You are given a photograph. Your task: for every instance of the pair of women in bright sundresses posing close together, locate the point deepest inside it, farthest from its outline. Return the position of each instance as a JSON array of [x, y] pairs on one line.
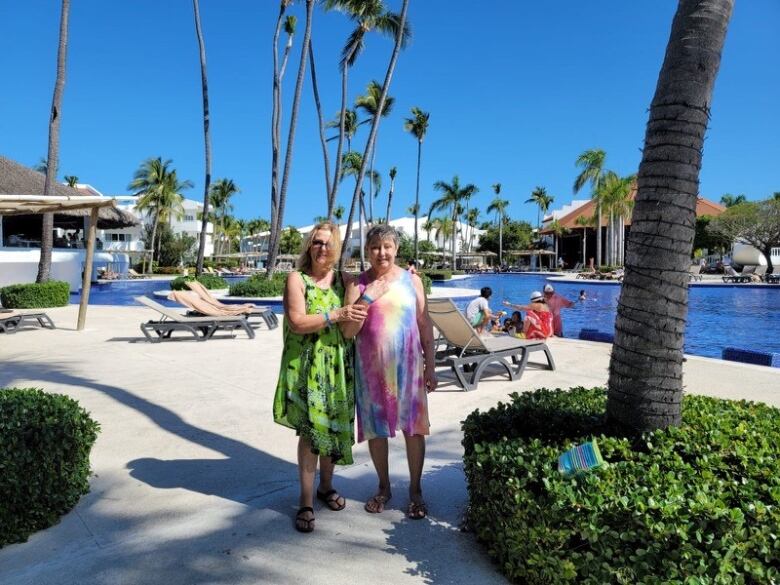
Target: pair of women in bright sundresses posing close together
[[385, 310]]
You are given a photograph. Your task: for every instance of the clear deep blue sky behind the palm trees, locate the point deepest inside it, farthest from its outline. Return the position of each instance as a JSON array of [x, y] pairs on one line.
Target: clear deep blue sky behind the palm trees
[[516, 90]]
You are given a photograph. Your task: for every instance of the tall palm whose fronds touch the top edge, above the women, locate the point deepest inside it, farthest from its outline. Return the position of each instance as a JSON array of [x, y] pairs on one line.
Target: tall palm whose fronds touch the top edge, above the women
[[368, 16]]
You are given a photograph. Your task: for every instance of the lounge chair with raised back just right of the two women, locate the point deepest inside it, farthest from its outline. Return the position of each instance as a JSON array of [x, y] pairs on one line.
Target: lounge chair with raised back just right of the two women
[[469, 354]]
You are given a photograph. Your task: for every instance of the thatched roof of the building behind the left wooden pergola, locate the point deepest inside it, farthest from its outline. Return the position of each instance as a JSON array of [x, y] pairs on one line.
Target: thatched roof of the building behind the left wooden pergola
[[16, 179]]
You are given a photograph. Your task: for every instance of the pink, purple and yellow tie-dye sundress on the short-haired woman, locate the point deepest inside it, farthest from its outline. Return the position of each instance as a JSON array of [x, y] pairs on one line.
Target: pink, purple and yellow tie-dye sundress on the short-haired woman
[[389, 384]]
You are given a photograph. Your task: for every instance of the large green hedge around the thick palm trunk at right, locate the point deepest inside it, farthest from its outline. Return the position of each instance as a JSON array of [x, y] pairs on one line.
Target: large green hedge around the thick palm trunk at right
[[694, 504]]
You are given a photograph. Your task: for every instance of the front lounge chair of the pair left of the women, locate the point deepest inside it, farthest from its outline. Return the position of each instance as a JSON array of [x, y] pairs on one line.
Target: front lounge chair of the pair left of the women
[[202, 328]]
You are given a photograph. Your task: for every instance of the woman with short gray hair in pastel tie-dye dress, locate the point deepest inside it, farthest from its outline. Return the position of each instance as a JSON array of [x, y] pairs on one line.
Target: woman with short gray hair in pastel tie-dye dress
[[394, 368]]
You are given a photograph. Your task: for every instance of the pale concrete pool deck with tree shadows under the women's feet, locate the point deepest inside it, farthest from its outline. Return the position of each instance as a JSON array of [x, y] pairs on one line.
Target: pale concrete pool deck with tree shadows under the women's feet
[[195, 484]]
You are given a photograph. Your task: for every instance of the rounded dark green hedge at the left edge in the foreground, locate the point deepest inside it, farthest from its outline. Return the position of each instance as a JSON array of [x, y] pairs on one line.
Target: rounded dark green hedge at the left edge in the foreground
[[45, 440]]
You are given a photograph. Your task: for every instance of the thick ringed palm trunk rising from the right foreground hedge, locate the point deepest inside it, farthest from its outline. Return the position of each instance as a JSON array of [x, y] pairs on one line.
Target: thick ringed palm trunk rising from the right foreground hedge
[[645, 372]]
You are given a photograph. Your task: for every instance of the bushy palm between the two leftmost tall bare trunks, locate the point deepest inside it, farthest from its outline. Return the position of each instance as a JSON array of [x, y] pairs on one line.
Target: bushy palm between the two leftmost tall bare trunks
[[159, 193]]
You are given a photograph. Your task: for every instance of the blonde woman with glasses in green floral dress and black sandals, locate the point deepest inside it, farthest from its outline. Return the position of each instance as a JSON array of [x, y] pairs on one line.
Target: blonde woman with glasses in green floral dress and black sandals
[[315, 393]]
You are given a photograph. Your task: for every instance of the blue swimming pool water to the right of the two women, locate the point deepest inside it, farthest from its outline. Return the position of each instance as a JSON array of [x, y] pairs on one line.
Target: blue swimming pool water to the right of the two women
[[718, 316]]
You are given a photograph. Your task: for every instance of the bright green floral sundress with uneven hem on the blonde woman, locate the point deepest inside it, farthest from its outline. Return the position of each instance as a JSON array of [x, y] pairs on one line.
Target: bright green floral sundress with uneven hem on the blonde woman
[[315, 394]]
